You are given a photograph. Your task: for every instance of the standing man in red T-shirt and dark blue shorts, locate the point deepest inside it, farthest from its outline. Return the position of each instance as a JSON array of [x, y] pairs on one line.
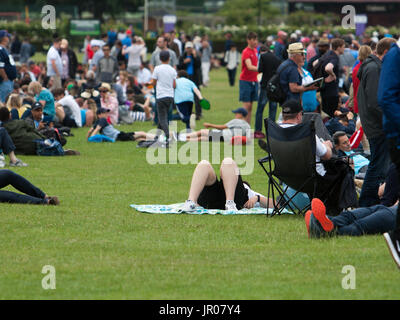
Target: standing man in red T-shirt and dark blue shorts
[[248, 83]]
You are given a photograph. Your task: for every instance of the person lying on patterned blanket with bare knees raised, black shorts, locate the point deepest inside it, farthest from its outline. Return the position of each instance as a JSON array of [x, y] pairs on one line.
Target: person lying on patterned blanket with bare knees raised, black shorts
[[229, 193]]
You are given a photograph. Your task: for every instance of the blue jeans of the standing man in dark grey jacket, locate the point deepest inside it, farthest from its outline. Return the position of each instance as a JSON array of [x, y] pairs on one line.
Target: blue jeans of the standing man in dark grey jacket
[[376, 173]]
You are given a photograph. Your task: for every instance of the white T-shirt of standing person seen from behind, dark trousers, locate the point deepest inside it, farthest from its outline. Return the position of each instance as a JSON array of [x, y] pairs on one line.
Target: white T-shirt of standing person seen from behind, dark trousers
[[165, 76]]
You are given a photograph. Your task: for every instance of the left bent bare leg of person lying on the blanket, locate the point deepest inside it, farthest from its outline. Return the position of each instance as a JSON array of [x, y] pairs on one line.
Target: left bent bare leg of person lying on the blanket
[[203, 175]]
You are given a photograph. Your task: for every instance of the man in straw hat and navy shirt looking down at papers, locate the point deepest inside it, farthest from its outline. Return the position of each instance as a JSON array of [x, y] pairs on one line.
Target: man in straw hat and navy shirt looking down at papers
[[288, 73]]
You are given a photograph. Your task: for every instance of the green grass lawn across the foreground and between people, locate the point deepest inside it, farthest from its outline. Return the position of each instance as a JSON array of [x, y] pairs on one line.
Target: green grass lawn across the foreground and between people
[[103, 249]]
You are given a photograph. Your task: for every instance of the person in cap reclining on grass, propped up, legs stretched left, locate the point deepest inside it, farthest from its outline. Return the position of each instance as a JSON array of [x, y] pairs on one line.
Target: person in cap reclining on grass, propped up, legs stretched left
[[222, 132]]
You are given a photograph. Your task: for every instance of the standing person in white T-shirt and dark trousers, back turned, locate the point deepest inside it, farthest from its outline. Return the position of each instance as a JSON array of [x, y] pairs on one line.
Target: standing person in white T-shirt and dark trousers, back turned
[[164, 78]]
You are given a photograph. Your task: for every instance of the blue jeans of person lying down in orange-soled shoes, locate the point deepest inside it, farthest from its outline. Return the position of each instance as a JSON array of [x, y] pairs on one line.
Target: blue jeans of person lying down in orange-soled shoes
[[361, 221]]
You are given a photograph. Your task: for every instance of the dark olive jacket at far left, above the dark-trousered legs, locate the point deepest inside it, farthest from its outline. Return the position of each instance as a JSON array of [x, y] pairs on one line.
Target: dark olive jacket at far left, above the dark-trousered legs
[[23, 135]]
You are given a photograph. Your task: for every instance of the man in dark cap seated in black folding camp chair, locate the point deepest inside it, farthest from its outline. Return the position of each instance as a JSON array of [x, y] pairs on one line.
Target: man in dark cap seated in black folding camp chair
[[322, 176]]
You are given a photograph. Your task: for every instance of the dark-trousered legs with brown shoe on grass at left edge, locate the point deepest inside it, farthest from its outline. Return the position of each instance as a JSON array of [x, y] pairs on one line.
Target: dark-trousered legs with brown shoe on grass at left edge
[[31, 194]]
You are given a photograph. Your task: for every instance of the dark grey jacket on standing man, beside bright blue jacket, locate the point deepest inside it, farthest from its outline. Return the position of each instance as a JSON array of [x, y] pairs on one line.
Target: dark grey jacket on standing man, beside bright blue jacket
[[367, 96]]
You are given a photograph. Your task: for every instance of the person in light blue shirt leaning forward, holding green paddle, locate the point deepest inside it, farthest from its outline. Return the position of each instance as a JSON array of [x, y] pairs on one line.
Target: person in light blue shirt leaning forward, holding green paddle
[[185, 92]]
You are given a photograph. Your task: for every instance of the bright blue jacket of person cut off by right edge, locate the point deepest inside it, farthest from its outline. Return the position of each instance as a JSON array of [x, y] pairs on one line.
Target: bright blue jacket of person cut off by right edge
[[389, 92]]
